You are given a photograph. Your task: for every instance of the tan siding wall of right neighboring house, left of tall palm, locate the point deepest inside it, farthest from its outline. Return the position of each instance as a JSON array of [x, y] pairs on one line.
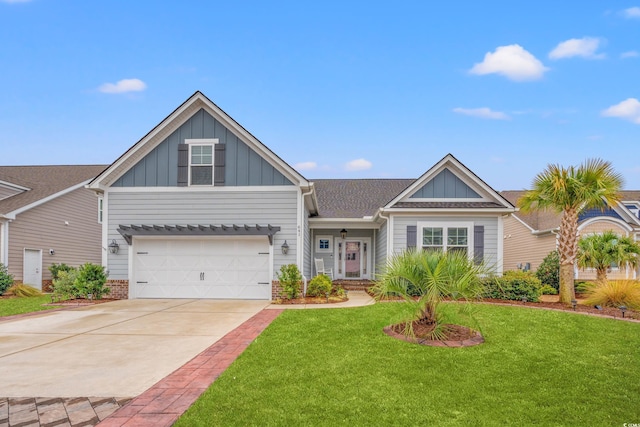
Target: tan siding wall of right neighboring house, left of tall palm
[[520, 246]]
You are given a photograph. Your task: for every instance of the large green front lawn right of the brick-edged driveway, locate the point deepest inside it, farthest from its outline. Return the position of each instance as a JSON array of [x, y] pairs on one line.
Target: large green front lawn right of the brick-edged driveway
[[336, 367]]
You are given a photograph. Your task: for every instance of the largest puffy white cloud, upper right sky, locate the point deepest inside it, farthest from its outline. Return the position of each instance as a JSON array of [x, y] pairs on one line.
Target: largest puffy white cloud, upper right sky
[[513, 62]]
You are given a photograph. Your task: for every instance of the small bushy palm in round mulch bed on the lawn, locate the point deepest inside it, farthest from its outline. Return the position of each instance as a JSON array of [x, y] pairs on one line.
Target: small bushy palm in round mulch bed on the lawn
[[424, 278]]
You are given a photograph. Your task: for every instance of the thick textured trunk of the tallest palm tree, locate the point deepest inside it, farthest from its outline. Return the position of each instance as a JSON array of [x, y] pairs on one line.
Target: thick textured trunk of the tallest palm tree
[[568, 250]]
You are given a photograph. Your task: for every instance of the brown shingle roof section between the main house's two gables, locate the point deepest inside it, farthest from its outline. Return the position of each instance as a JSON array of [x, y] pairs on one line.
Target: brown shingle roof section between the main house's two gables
[[355, 198]]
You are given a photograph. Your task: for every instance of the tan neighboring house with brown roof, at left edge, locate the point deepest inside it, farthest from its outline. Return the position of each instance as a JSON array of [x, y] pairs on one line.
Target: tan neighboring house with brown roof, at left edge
[[47, 217]]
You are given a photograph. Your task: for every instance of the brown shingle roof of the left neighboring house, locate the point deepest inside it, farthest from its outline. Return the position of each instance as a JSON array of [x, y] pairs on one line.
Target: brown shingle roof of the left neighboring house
[[42, 182]]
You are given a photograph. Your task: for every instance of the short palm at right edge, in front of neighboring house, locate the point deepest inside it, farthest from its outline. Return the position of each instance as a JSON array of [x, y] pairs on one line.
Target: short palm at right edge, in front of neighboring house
[[600, 251]]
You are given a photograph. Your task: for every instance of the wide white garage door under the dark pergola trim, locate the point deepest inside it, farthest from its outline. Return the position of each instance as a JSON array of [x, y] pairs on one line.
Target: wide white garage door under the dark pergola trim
[[235, 268]]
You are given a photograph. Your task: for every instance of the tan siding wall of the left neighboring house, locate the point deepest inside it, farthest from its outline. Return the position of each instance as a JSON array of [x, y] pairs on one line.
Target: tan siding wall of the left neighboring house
[[43, 227]]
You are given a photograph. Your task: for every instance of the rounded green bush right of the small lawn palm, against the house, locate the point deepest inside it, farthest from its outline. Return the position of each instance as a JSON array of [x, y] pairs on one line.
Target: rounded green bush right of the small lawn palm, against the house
[[513, 286]]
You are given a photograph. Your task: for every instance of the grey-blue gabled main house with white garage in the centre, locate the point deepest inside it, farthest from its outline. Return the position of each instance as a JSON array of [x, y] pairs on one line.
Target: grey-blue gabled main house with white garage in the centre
[[199, 208]]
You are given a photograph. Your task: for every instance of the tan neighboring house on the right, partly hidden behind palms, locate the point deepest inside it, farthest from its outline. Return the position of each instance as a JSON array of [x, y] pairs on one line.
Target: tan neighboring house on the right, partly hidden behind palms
[[528, 238]]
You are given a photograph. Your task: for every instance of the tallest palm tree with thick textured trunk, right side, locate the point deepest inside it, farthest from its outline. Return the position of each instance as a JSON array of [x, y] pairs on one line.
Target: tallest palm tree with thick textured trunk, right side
[[570, 191]]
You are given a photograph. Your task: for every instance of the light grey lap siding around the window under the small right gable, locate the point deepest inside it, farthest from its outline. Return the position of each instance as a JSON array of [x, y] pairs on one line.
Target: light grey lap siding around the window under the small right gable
[[490, 224]]
